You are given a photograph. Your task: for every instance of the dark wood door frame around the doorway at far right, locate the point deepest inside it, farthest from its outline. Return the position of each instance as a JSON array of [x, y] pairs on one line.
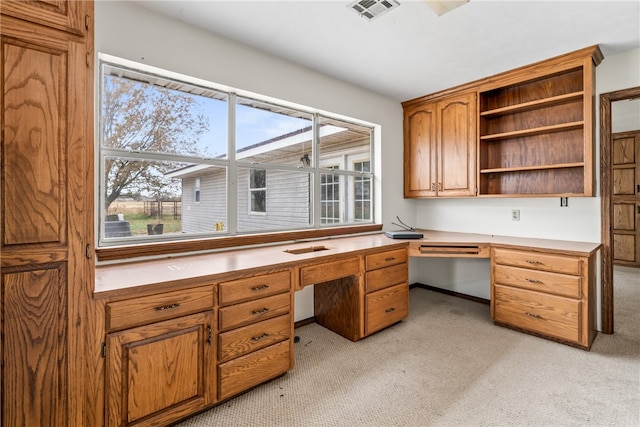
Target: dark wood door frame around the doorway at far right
[[606, 184]]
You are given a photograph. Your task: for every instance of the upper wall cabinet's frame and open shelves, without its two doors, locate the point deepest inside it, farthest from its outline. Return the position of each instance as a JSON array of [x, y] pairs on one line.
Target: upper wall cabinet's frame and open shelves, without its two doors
[[535, 130]]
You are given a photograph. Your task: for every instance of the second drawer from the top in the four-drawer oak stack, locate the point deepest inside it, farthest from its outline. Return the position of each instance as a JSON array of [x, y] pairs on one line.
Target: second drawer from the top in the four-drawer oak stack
[[254, 311]]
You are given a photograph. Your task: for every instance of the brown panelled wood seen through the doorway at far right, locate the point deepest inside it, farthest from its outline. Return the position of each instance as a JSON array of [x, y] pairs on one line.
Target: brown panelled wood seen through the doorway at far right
[[626, 198]]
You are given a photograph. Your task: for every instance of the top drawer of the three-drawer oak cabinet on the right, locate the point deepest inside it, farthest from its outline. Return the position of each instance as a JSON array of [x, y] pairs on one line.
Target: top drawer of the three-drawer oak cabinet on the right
[[538, 261]]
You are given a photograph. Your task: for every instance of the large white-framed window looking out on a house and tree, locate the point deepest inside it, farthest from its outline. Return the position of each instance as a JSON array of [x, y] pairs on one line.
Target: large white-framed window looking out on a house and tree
[[164, 137]]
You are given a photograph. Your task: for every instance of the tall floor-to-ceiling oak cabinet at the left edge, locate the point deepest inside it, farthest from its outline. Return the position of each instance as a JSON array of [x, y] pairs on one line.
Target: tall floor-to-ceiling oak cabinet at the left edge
[[45, 209]]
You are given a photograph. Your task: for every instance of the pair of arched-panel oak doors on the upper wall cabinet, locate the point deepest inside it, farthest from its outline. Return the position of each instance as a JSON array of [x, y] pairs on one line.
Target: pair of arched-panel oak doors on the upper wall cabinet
[[440, 146]]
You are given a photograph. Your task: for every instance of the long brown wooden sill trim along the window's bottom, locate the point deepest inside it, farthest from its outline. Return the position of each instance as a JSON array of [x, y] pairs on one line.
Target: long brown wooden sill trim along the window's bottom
[[169, 248]]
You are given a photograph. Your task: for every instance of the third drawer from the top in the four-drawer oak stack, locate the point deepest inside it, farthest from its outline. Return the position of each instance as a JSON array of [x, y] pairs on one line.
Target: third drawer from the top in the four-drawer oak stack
[[241, 341]]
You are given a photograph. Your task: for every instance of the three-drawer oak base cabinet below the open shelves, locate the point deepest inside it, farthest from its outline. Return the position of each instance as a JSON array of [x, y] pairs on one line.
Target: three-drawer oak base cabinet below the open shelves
[[547, 294]]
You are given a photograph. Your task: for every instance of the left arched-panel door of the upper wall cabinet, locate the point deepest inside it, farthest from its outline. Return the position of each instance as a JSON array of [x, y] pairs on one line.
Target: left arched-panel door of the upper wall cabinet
[[420, 151]]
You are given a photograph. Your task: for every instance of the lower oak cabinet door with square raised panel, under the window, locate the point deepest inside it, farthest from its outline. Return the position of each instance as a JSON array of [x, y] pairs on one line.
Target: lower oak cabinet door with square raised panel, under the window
[[161, 372]]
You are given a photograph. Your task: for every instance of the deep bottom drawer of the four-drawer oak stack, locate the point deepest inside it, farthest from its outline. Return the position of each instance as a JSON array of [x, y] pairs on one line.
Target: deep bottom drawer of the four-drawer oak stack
[[248, 371]]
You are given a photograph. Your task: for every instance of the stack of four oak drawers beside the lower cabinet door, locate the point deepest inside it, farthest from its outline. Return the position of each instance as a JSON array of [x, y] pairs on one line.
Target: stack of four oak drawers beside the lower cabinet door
[[255, 329]]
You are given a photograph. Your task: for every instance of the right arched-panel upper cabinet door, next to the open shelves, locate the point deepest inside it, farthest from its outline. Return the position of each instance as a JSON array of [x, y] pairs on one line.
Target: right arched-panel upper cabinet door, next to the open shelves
[[457, 146]]
